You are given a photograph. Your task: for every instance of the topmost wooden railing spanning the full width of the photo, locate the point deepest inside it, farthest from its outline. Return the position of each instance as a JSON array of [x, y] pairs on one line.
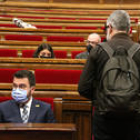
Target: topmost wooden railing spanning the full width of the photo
[[102, 4]]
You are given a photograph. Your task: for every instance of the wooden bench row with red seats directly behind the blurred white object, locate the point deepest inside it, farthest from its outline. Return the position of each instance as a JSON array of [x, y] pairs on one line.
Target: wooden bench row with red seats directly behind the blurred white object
[[62, 22]]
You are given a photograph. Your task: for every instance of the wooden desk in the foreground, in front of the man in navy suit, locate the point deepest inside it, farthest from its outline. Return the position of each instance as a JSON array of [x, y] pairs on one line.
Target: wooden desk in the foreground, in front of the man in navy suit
[[37, 131]]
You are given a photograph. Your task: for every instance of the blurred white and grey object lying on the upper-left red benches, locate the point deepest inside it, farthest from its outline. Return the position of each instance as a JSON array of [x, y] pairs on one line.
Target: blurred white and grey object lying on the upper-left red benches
[[22, 24]]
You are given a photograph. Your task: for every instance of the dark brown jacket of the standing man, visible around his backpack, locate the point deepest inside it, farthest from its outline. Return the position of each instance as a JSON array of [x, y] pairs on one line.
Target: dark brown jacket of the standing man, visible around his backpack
[[94, 66]]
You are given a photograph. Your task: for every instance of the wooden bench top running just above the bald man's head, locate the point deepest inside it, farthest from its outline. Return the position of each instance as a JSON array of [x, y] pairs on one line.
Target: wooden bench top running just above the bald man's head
[[50, 32]]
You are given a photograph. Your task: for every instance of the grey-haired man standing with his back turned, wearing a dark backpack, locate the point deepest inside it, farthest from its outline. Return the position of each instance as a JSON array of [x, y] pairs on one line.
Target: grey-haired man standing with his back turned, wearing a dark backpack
[[111, 79]]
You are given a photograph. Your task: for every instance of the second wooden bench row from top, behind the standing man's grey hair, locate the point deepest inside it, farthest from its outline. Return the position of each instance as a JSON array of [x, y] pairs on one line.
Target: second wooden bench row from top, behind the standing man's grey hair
[[39, 14]]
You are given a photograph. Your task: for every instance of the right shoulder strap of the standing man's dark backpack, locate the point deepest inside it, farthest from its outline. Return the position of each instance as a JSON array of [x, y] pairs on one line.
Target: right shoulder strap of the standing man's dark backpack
[[135, 47]]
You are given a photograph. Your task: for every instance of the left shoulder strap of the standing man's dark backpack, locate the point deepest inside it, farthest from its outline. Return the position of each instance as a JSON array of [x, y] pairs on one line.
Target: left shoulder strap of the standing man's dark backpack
[[107, 48]]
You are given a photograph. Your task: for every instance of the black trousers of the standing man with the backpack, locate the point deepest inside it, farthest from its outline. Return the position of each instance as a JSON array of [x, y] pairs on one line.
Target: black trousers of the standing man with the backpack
[[113, 127]]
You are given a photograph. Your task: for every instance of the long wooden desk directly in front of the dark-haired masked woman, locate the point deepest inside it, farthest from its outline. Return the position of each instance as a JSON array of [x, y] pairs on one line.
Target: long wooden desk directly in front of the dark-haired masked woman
[[35, 63]]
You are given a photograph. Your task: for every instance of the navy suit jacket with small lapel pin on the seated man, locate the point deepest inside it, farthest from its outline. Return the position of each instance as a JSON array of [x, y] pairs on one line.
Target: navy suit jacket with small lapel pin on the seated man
[[40, 112]]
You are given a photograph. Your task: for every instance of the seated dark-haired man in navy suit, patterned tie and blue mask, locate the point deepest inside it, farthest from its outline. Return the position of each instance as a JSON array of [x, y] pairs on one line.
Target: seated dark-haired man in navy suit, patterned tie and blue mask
[[24, 108]]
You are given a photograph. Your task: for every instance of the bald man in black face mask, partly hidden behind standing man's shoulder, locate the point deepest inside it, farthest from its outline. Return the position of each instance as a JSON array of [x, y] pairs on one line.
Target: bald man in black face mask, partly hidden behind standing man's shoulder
[[91, 42]]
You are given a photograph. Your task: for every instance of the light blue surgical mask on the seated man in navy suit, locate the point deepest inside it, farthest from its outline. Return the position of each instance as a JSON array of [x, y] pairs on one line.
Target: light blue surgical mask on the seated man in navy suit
[[19, 95]]
